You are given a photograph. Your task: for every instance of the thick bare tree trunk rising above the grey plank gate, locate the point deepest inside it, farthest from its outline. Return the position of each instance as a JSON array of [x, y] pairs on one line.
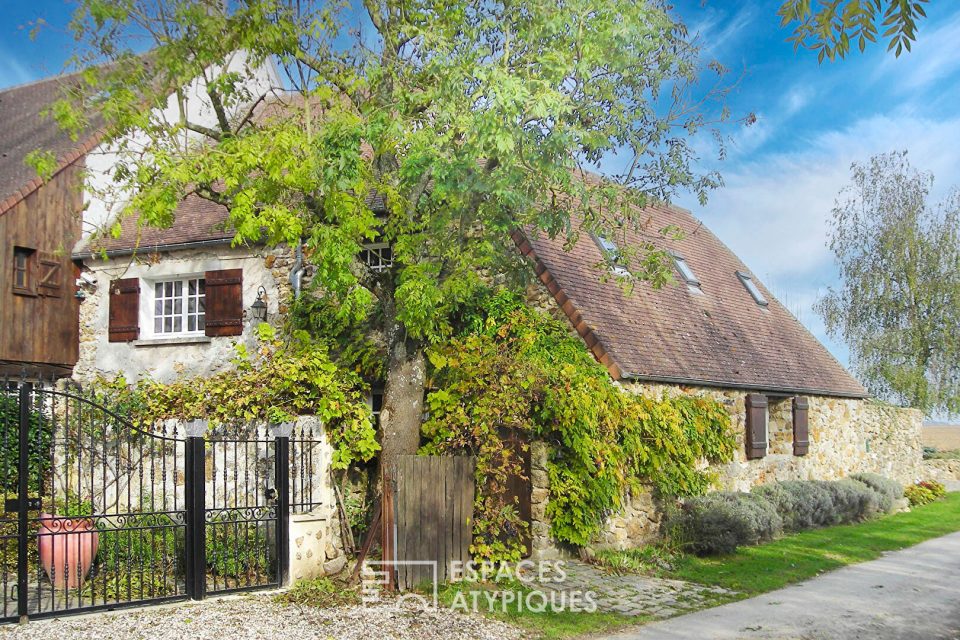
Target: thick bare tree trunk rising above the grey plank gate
[[402, 409]]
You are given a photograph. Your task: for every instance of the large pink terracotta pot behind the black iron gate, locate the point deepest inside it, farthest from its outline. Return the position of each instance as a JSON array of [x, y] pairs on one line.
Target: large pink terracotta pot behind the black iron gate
[[67, 548]]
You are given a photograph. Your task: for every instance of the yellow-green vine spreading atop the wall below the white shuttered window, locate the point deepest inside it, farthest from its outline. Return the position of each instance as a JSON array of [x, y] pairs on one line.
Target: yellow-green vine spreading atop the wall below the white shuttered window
[[285, 378]]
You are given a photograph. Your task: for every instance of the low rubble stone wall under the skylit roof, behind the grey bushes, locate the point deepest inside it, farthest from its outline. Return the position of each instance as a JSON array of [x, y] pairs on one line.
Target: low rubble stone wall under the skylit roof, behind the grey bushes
[[846, 436]]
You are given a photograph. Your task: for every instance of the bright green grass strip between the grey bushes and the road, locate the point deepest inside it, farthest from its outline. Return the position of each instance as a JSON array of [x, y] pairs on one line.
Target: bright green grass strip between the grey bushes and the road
[[754, 570]]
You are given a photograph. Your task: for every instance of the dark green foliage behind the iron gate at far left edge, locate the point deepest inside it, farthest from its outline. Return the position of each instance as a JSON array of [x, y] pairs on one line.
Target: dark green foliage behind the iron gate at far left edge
[[38, 448]]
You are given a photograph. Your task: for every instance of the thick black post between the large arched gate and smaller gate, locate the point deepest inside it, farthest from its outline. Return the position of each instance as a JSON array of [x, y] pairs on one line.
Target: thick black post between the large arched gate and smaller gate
[[196, 487]]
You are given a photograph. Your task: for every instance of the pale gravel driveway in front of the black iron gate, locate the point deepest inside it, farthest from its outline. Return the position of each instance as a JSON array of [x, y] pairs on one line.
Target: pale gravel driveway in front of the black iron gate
[[258, 616]]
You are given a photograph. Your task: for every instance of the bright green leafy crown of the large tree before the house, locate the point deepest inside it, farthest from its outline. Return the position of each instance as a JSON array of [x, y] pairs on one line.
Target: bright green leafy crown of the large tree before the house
[[467, 120]]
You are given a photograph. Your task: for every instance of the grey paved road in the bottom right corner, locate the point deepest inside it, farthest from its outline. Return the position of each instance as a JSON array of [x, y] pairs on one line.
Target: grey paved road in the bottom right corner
[[912, 594]]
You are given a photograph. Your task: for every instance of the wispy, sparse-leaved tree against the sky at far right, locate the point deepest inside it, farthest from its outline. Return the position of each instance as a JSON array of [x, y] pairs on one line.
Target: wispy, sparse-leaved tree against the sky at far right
[[898, 303]]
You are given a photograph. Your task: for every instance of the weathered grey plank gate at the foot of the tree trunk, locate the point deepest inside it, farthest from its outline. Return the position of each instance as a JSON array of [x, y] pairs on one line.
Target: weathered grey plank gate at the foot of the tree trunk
[[432, 516]]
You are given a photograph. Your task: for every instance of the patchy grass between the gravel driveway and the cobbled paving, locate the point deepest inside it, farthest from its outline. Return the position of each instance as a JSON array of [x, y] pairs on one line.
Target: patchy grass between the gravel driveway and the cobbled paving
[[548, 625]]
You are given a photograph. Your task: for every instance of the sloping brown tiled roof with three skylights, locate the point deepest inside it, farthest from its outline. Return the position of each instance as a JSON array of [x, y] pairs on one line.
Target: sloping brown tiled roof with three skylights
[[720, 337]]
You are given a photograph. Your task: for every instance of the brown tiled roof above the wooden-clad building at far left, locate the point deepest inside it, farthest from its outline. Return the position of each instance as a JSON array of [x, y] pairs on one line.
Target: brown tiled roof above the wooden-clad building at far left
[[22, 130]]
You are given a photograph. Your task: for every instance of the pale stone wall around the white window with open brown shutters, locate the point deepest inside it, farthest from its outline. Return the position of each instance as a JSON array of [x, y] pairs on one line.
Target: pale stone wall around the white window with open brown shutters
[[167, 360]]
